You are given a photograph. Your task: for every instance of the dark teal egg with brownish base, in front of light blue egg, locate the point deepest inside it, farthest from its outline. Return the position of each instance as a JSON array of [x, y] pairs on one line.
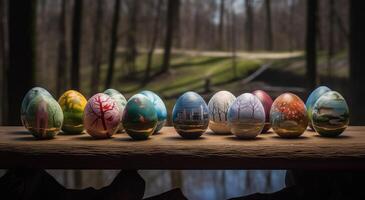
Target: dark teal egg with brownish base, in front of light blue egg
[[139, 117]]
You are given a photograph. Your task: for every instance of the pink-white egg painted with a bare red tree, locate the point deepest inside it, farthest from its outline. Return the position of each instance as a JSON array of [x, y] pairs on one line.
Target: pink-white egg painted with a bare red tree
[[101, 116]]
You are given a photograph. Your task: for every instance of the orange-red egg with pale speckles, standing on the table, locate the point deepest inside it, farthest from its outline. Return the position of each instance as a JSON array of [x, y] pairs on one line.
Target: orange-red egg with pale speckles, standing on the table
[[288, 116]]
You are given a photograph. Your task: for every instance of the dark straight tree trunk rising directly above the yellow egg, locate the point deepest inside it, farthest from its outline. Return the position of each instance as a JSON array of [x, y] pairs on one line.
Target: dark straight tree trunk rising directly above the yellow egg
[[76, 42]]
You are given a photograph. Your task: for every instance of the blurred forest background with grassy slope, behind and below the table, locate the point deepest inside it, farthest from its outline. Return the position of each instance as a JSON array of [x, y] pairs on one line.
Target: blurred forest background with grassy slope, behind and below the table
[[172, 46]]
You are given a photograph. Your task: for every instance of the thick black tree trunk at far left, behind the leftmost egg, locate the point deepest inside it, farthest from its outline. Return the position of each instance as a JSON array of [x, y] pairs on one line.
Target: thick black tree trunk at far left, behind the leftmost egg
[[21, 70]]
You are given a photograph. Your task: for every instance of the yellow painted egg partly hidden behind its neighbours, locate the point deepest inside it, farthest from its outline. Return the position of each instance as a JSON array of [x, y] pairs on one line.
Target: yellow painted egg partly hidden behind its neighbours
[[72, 104]]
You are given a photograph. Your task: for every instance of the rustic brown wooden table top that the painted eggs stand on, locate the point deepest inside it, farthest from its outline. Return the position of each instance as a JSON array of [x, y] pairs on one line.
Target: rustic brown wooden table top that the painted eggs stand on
[[167, 150]]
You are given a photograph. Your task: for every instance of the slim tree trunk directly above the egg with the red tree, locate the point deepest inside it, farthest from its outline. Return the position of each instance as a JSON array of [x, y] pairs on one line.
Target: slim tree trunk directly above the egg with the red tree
[[97, 46]]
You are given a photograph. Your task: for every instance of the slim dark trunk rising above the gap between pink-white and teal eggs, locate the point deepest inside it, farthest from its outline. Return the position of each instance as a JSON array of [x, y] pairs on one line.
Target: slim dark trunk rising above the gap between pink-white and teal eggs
[[113, 45]]
